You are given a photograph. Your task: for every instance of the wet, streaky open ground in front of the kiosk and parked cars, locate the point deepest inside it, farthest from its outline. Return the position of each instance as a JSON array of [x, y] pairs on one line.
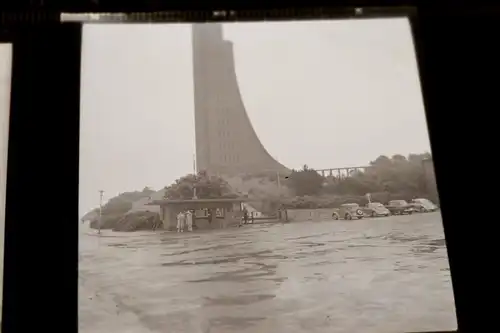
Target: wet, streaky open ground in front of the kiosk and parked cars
[[374, 275]]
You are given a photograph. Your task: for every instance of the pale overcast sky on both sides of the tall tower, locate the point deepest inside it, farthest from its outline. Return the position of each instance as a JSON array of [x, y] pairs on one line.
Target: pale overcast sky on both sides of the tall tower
[[322, 93]]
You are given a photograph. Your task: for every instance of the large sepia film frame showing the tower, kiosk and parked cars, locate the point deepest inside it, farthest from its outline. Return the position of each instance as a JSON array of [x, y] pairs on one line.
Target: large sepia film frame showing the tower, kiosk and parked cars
[[208, 124]]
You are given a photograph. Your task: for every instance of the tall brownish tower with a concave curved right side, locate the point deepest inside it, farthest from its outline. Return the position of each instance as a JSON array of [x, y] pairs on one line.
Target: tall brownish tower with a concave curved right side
[[226, 142]]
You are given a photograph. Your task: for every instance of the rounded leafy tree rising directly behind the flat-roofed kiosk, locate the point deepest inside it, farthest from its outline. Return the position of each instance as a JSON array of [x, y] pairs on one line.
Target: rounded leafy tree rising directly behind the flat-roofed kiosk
[[207, 187]]
